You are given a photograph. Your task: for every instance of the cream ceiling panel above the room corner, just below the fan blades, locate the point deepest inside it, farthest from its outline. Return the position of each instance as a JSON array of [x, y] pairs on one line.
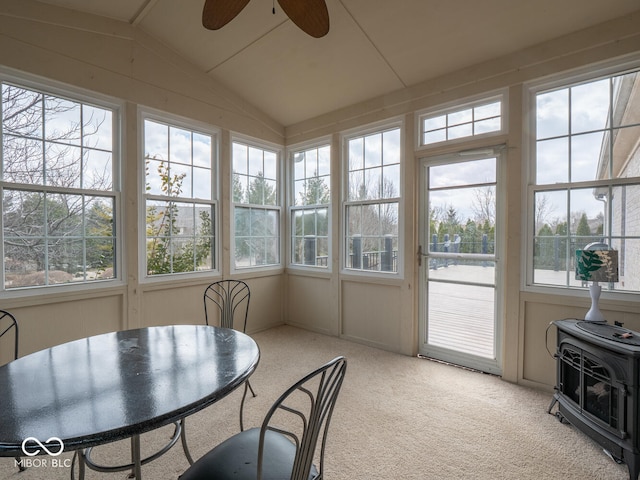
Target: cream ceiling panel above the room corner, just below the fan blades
[[294, 76]]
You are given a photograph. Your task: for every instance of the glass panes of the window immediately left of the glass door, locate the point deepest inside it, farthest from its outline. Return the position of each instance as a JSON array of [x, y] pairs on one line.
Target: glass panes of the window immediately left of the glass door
[[372, 201]]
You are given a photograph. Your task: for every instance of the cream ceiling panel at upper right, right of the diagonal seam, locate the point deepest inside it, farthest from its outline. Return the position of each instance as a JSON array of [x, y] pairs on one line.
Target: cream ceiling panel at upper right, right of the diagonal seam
[[428, 38]]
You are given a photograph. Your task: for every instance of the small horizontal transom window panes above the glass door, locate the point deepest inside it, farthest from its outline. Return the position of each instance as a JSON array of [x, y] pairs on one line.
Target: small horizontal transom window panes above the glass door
[[479, 118]]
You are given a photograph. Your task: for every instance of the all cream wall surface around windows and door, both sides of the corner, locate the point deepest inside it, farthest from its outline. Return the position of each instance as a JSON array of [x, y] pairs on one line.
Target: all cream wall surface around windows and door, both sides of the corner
[[117, 60]]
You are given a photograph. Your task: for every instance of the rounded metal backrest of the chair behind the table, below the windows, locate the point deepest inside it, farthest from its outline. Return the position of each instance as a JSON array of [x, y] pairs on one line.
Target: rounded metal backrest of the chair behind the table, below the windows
[[231, 300]]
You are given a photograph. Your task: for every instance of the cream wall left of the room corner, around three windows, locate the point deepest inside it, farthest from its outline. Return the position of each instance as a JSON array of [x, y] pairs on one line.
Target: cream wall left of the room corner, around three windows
[[115, 59]]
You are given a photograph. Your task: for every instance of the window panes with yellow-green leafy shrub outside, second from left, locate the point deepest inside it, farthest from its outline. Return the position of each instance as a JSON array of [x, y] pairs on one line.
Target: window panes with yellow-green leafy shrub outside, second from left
[[180, 198]]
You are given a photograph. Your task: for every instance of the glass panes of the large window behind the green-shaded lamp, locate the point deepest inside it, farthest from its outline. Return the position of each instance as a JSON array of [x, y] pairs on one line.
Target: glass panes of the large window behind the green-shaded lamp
[[585, 185]]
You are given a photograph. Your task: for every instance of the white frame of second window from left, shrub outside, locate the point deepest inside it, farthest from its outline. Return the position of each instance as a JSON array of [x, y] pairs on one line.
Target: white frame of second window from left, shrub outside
[[171, 120]]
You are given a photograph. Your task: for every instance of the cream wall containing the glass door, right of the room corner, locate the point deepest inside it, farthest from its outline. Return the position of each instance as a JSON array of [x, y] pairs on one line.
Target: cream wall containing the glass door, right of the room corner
[[384, 313]]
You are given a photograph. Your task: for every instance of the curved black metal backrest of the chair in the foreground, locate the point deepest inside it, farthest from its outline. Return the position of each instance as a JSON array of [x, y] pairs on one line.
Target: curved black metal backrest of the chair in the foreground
[[306, 407]]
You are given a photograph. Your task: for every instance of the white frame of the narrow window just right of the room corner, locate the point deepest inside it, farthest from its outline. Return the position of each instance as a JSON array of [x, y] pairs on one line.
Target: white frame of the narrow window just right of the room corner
[[292, 207]]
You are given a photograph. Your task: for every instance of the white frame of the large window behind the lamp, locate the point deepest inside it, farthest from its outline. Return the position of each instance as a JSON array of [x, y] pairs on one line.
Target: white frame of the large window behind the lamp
[[591, 73]]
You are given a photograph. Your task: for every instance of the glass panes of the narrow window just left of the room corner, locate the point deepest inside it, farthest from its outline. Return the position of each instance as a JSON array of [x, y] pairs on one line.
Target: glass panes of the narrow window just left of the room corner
[[256, 206]]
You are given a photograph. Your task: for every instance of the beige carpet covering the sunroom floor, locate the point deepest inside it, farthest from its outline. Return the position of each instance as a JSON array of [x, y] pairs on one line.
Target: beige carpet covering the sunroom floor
[[397, 418]]
